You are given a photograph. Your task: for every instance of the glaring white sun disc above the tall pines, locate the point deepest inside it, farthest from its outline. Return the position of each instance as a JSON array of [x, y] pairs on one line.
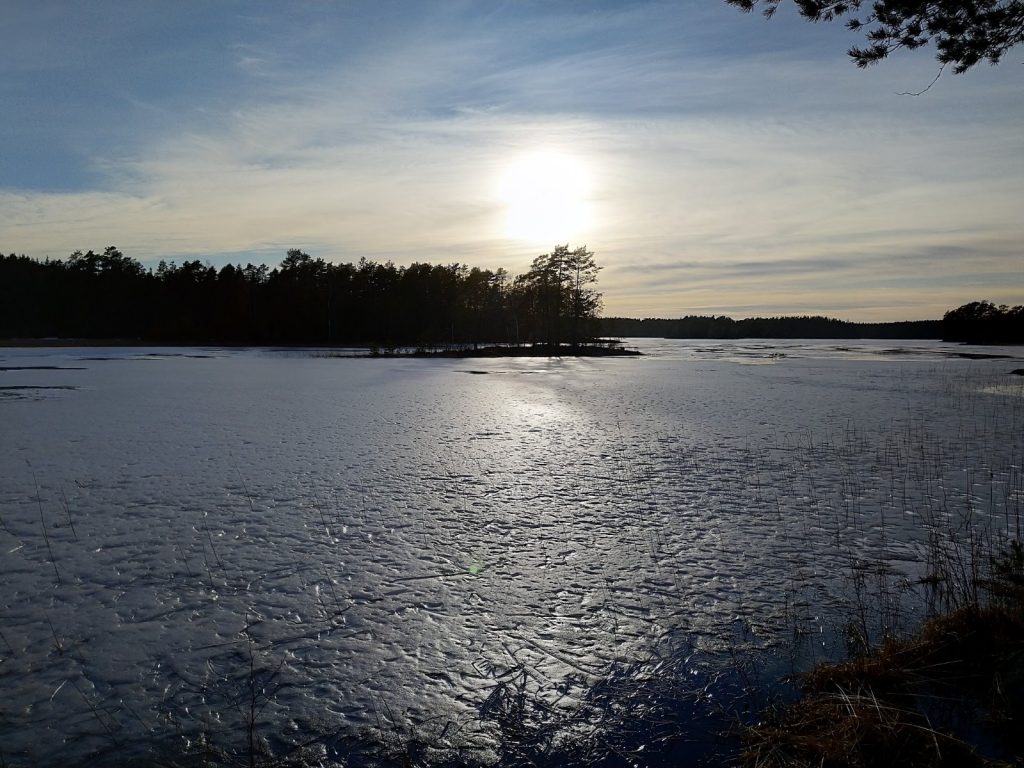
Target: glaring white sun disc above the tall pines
[[546, 195]]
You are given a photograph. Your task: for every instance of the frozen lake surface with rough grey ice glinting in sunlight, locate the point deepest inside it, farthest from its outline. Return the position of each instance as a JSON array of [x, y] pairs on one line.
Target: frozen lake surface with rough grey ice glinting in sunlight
[[368, 541]]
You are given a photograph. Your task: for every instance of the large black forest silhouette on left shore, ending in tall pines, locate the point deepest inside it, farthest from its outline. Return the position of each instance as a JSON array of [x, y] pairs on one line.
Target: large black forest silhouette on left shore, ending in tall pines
[[305, 301]]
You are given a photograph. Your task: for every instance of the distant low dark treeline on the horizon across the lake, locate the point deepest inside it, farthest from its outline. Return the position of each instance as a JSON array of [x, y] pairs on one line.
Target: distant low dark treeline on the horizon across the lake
[[721, 327]]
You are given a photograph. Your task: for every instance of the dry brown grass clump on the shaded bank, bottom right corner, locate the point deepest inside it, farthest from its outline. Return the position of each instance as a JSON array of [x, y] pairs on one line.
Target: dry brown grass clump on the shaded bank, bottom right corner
[[950, 695]]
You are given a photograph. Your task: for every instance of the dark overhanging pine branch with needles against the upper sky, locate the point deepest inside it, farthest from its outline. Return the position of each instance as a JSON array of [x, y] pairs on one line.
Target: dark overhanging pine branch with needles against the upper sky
[[965, 32]]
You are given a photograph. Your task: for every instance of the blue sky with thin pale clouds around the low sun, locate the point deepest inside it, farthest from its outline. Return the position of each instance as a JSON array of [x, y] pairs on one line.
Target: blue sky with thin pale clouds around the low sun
[[715, 162]]
